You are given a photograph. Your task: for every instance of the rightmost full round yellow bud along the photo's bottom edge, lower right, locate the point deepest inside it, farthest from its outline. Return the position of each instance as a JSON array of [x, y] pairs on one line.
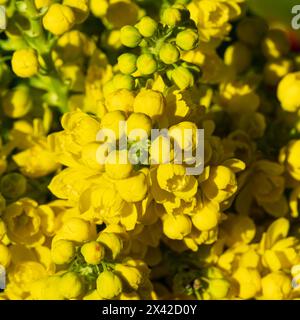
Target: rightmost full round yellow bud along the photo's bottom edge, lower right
[[276, 286]]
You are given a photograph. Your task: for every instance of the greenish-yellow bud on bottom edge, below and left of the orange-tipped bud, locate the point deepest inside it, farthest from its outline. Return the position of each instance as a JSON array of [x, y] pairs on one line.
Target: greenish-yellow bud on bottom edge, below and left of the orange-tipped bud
[[71, 286]]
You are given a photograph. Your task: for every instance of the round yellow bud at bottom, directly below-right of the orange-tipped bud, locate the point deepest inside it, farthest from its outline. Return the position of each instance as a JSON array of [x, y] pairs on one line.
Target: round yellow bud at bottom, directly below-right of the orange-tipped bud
[[109, 285]]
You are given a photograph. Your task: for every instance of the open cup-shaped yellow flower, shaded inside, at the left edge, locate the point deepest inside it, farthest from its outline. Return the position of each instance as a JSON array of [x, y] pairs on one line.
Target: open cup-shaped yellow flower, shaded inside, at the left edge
[[24, 222]]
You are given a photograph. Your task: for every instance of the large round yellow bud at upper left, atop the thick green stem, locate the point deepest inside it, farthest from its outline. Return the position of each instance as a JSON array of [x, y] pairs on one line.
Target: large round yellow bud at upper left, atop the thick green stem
[[59, 19]]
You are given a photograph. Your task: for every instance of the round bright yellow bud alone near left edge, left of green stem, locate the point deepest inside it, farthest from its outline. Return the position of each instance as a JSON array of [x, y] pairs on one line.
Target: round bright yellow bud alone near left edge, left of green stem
[[25, 63]]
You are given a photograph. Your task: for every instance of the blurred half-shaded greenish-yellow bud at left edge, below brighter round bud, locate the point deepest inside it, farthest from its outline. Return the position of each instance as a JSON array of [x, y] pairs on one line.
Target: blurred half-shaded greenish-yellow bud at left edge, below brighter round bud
[[17, 102]]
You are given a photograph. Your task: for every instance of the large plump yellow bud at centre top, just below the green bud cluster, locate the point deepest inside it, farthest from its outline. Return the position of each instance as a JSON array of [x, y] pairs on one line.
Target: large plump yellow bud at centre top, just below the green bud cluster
[[150, 102]]
